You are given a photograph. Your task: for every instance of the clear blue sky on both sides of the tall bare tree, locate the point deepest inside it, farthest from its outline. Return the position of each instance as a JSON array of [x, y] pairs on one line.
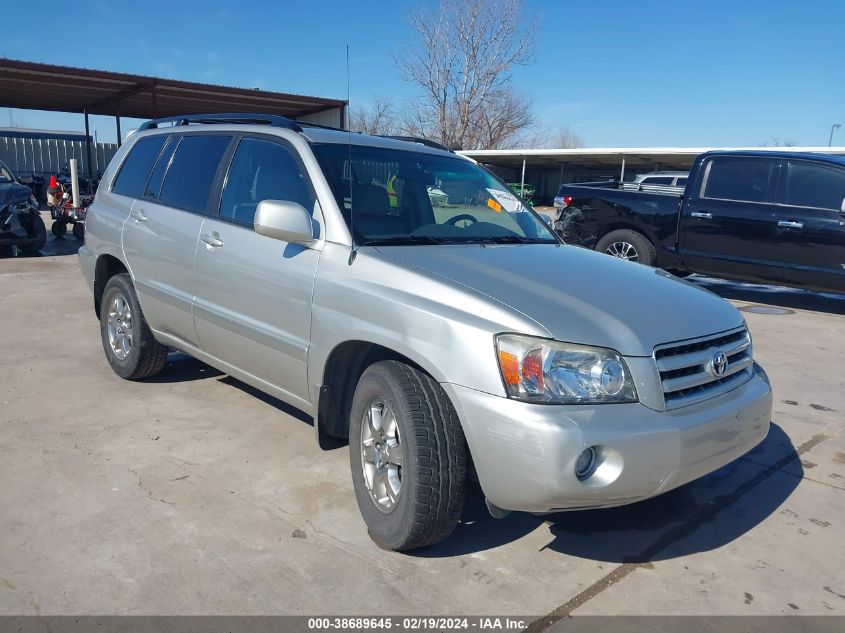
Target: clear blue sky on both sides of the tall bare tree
[[618, 73]]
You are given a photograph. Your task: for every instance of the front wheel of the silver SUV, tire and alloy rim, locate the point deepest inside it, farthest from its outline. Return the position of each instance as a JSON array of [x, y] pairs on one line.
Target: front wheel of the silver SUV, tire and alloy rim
[[408, 457]]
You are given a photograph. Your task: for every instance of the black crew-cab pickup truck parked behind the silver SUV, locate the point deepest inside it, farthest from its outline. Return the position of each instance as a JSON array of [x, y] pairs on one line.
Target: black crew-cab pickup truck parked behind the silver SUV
[[763, 217]]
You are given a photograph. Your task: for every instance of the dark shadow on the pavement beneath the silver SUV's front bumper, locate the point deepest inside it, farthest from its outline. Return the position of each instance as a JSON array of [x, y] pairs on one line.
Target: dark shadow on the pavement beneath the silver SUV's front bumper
[[700, 516]]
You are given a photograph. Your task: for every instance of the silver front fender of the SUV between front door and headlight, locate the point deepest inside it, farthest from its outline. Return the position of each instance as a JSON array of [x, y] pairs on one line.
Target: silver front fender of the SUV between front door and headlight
[[445, 329]]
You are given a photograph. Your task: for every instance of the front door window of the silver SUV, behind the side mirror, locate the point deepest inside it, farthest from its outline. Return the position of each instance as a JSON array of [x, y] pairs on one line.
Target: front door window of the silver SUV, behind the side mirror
[[262, 170]]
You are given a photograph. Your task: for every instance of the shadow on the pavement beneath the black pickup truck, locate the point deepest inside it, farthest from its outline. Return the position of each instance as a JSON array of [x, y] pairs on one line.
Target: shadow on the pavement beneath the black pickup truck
[[790, 298]]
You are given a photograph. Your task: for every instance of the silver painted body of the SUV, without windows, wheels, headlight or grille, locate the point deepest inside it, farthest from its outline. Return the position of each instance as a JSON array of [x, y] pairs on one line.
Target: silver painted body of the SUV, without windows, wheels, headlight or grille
[[271, 313]]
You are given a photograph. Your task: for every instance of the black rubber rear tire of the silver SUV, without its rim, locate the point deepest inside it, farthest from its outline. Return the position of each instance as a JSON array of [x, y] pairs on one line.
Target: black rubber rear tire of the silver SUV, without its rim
[[146, 356]]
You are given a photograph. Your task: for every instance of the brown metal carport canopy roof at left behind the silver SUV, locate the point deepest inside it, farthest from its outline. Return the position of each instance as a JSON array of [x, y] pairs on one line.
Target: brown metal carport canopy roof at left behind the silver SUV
[[33, 86]]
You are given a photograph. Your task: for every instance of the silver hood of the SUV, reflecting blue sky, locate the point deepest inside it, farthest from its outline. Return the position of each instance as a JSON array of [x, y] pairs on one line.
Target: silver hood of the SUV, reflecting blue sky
[[580, 296]]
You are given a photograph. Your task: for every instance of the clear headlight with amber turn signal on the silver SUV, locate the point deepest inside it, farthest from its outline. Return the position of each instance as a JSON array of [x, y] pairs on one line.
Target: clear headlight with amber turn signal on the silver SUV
[[541, 370]]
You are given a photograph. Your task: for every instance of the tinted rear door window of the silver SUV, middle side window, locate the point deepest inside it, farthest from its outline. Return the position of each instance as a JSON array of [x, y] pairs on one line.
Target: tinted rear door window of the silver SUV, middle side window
[[191, 175]]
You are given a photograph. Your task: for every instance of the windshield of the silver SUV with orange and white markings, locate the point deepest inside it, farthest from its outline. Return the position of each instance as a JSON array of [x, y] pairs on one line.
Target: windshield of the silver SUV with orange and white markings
[[393, 196]]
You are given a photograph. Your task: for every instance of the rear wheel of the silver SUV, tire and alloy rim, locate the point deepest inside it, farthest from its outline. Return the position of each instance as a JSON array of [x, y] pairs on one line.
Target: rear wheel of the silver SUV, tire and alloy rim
[[130, 348]]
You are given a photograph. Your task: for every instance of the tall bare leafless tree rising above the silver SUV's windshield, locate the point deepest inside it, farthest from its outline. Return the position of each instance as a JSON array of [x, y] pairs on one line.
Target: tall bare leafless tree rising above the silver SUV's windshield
[[462, 63]]
